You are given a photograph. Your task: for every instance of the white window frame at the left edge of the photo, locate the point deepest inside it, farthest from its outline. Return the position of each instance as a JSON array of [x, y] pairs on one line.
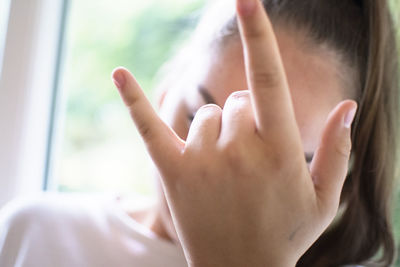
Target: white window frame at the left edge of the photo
[[28, 79]]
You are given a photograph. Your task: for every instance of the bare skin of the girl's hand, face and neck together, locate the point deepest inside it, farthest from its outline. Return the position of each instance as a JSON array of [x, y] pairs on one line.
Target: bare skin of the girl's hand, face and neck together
[[286, 117]]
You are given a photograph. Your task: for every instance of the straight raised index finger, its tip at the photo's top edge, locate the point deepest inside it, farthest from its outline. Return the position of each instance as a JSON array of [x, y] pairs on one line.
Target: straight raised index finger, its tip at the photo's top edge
[[265, 73]]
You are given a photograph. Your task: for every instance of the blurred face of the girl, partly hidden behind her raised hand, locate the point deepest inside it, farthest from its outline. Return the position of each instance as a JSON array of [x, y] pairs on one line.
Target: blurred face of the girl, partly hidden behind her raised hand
[[314, 76]]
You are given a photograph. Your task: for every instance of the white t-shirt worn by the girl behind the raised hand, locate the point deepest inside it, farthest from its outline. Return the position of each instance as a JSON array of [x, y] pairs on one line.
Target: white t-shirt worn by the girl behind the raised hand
[[61, 231]]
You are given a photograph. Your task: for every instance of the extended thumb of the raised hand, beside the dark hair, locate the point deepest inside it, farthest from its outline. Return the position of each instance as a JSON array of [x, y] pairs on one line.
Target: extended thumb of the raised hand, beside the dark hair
[[330, 164]]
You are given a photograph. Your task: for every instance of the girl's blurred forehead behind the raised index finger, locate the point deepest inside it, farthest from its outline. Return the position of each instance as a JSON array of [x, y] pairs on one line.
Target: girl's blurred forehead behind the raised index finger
[[314, 76]]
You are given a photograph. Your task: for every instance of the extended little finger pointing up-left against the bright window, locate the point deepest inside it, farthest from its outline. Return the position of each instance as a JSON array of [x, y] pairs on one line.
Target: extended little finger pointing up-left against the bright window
[[162, 143]]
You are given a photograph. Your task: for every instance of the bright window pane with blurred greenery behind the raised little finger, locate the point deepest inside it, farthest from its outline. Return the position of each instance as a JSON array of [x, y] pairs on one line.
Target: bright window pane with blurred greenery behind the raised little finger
[[99, 149]]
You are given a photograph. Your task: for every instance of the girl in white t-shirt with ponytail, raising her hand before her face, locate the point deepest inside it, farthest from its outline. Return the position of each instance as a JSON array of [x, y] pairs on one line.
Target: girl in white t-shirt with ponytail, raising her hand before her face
[[257, 183]]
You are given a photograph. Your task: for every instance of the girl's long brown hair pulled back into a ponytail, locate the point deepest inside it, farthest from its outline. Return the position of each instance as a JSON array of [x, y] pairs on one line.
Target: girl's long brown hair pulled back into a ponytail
[[362, 34]]
